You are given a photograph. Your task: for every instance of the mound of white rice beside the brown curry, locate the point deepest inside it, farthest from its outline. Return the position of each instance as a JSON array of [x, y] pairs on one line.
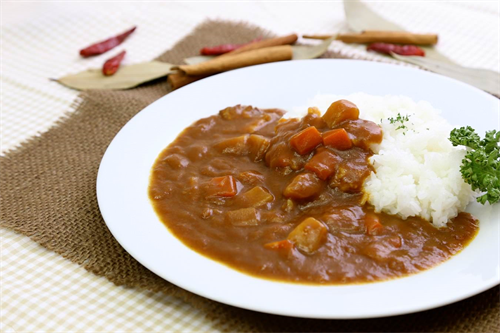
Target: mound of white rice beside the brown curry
[[417, 170]]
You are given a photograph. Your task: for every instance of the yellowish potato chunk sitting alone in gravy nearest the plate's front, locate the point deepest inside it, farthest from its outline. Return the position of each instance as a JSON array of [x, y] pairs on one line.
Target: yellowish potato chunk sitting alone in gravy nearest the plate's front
[[309, 235]]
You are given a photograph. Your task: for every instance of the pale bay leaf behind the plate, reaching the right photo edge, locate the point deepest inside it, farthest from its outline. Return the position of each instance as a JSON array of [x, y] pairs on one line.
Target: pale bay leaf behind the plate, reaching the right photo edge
[[484, 79]]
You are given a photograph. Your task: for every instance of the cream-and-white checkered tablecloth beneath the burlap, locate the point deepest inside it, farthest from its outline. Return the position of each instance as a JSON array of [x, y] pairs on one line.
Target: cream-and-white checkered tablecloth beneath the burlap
[[39, 290]]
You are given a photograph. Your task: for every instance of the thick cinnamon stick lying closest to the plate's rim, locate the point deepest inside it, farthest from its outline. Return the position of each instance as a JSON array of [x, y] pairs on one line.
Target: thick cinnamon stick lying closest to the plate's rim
[[248, 58]]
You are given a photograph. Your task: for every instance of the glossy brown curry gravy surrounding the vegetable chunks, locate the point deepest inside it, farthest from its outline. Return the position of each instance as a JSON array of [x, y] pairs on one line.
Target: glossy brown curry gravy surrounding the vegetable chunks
[[348, 252]]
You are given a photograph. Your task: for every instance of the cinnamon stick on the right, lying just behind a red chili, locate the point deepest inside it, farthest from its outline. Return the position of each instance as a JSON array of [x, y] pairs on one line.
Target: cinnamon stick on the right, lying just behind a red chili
[[374, 36]]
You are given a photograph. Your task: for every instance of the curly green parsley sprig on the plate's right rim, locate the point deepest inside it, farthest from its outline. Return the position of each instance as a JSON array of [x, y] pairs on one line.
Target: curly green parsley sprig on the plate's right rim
[[481, 165]]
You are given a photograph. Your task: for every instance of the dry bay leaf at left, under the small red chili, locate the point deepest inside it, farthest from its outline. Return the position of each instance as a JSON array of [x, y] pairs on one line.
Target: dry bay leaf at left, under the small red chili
[[127, 76]]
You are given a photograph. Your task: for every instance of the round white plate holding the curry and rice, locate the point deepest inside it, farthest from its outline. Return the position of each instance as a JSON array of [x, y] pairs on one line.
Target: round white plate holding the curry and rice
[[123, 177]]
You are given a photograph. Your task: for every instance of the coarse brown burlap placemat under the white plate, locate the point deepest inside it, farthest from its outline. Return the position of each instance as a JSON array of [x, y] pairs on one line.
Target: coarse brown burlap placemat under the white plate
[[48, 194]]
